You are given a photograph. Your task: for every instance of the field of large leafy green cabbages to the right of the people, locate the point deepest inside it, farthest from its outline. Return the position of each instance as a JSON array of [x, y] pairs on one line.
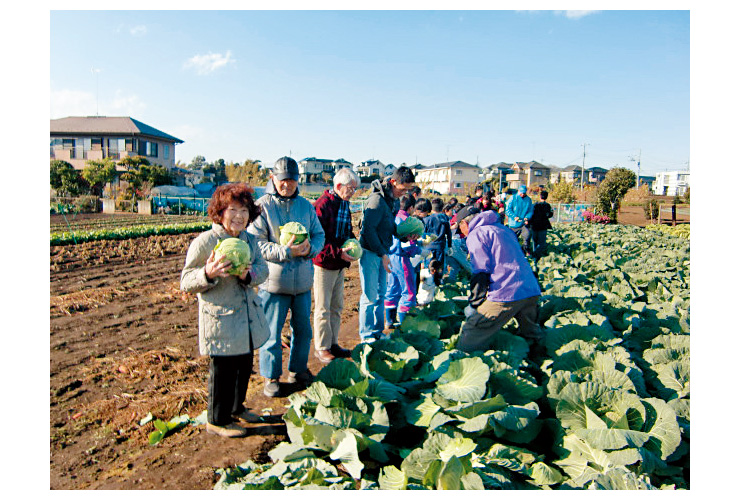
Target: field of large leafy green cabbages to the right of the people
[[603, 404]]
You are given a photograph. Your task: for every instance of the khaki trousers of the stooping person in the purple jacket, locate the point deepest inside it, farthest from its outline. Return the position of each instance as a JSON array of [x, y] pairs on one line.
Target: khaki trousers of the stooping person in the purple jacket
[[480, 328]]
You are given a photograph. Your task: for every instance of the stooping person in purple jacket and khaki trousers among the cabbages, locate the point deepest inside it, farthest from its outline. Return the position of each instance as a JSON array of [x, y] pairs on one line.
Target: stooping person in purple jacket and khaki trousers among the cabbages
[[503, 285]]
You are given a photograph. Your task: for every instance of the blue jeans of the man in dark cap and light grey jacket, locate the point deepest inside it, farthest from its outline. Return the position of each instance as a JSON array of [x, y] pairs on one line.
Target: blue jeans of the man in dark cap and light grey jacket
[[276, 307]]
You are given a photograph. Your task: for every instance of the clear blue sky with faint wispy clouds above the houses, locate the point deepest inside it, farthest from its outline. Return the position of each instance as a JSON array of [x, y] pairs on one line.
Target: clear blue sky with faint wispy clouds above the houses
[[398, 86]]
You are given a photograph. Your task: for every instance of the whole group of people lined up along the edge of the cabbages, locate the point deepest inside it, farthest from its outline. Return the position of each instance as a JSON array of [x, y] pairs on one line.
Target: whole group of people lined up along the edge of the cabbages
[[245, 313]]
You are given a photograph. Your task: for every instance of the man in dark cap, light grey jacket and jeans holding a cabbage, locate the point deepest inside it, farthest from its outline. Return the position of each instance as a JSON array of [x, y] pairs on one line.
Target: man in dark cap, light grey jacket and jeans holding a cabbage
[[291, 274]]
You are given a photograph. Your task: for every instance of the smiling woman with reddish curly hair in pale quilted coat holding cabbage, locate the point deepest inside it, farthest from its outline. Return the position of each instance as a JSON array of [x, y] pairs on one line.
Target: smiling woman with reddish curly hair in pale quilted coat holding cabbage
[[222, 266]]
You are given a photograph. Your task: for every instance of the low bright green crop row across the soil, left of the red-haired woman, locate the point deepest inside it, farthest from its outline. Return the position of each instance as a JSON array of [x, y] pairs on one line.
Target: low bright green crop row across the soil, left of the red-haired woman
[[122, 233]]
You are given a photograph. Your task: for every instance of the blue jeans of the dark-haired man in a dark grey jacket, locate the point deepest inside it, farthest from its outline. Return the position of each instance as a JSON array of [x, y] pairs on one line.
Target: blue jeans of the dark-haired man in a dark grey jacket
[[373, 292]]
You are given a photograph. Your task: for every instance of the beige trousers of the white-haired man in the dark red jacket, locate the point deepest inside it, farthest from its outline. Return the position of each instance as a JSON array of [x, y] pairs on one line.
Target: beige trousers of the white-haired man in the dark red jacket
[[329, 299]]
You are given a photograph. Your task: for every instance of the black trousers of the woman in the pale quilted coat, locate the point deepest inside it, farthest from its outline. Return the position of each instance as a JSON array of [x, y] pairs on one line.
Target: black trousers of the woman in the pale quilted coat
[[228, 378]]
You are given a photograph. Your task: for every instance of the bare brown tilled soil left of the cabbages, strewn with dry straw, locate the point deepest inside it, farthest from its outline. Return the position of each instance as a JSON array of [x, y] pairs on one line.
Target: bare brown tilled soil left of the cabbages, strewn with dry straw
[[123, 343]]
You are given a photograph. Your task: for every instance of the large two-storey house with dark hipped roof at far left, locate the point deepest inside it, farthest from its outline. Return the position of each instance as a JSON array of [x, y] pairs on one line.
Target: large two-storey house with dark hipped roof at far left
[[77, 139]]
